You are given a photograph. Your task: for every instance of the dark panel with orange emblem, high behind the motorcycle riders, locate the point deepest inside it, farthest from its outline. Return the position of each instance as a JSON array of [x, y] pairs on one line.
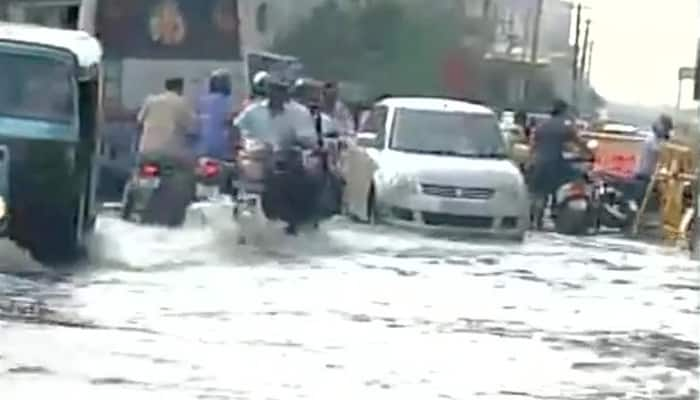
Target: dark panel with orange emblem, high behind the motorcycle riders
[[169, 29]]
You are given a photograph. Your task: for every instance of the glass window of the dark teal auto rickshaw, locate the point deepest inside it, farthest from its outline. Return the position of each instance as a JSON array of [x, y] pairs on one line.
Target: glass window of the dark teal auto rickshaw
[[35, 87]]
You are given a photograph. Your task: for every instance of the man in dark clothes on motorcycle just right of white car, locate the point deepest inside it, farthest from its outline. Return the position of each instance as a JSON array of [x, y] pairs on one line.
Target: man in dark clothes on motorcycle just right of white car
[[548, 169]]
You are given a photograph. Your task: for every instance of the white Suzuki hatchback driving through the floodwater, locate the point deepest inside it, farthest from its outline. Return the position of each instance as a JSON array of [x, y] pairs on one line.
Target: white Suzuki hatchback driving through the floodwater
[[435, 164]]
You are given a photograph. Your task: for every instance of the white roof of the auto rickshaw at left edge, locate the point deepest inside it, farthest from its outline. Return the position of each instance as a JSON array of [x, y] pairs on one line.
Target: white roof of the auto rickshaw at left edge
[[85, 47]]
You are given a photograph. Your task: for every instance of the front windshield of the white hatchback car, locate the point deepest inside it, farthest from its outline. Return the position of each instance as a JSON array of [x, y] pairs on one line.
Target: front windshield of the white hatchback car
[[450, 133]]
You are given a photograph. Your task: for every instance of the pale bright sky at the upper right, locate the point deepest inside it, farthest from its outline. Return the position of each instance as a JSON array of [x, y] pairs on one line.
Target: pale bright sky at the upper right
[[639, 46]]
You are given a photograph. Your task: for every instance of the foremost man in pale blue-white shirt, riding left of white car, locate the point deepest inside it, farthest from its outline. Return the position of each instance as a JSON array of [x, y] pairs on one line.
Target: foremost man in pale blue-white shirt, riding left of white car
[[284, 126]]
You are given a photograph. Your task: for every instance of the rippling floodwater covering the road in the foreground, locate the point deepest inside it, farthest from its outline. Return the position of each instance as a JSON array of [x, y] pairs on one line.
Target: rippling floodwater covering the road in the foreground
[[354, 312]]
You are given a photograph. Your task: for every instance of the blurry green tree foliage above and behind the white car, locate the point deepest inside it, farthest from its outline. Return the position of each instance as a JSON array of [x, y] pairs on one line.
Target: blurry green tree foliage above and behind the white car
[[391, 47]]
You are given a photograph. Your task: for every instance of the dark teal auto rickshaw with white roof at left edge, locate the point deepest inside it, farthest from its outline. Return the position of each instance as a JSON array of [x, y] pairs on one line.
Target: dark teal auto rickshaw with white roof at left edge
[[50, 101]]
